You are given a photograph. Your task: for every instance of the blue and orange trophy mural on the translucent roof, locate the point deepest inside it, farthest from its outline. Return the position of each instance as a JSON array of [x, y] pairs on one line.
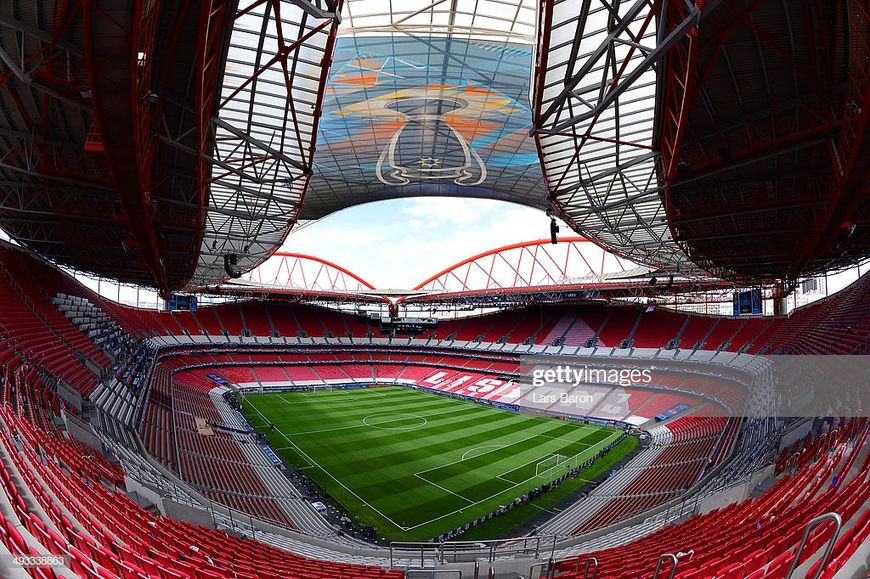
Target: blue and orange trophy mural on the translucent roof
[[435, 116]]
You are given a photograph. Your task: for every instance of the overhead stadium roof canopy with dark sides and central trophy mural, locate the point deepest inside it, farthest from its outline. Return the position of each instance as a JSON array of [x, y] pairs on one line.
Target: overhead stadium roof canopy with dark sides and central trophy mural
[[175, 145]]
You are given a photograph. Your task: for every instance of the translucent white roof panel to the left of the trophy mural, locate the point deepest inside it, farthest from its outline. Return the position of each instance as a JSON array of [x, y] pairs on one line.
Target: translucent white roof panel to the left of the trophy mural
[[262, 135]]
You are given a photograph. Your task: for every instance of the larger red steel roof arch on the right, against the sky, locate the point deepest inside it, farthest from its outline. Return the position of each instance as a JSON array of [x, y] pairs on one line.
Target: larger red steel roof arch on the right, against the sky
[[527, 264]]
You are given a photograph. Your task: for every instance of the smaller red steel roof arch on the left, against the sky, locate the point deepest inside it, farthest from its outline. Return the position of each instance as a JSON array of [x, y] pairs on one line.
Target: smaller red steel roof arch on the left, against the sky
[[297, 271]]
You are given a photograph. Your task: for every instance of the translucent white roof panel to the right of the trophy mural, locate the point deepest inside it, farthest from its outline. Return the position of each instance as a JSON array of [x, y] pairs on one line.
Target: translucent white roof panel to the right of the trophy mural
[[596, 124]]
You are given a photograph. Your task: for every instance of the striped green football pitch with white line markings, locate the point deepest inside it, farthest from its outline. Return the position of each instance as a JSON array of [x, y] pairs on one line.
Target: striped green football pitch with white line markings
[[415, 464]]
